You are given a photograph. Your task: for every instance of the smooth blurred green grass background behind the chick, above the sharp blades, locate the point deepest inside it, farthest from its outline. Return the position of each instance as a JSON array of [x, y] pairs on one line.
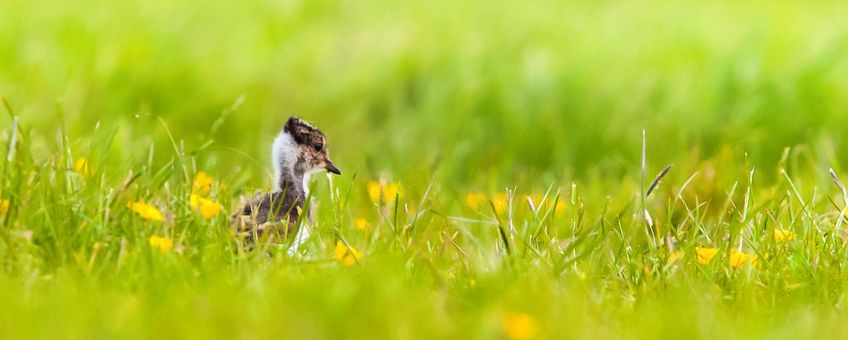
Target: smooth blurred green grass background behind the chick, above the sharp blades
[[549, 88]]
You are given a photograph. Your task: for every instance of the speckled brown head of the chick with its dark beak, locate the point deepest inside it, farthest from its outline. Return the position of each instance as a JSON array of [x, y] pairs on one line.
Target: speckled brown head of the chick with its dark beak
[[310, 146]]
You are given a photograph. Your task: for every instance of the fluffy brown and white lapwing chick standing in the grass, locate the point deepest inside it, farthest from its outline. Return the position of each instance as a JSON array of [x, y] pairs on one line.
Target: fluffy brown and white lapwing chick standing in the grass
[[299, 151]]
